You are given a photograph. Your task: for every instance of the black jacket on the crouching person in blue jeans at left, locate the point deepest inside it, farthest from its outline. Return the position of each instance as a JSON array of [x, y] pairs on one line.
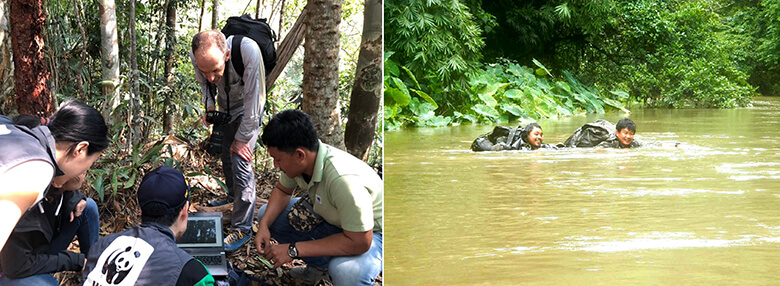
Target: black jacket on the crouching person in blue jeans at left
[[27, 251]]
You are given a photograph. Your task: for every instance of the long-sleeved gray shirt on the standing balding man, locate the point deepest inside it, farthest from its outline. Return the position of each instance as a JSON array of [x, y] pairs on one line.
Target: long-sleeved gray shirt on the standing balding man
[[247, 91]]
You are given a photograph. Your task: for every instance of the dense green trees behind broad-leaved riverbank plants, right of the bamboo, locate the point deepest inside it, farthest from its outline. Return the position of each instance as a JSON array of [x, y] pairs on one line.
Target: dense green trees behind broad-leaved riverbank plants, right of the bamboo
[[664, 53]]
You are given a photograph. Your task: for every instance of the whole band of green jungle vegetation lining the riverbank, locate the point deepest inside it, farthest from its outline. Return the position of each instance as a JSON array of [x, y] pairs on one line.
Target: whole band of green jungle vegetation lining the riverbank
[[494, 61]]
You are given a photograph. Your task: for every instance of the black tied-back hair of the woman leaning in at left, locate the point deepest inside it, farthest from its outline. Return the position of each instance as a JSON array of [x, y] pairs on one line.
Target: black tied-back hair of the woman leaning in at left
[[76, 122]]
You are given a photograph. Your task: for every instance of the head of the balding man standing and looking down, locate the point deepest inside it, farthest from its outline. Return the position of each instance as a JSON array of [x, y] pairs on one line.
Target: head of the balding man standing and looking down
[[210, 51]]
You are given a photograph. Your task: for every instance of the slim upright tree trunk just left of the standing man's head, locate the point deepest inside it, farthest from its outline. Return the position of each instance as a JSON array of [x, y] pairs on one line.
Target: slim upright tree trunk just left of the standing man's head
[[170, 55]]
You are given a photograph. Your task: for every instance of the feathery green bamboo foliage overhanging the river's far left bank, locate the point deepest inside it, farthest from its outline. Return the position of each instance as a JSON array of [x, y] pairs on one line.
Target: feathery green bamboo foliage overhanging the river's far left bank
[[438, 42]]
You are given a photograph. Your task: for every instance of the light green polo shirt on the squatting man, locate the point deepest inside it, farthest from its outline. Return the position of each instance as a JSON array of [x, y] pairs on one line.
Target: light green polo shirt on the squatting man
[[346, 191]]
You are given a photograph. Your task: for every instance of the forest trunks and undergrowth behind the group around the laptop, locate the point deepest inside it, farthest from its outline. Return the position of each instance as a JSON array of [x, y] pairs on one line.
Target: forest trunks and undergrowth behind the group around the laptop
[[130, 60]]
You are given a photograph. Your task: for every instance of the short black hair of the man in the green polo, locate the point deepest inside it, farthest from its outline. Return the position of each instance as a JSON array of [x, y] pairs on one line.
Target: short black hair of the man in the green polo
[[289, 130]]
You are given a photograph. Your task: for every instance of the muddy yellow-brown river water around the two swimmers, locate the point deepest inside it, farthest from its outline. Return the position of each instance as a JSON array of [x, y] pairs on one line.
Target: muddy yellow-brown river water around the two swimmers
[[705, 212]]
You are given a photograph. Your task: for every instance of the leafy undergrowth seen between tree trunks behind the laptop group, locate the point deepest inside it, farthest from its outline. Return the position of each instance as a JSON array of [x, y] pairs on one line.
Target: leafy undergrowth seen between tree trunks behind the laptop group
[[73, 42]]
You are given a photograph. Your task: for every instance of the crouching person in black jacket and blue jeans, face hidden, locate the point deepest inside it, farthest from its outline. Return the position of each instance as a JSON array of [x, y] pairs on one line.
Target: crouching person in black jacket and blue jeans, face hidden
[[38, 246]]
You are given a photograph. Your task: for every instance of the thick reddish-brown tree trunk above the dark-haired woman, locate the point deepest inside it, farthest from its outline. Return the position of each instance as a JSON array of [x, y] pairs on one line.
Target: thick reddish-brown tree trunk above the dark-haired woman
[[31, 76]]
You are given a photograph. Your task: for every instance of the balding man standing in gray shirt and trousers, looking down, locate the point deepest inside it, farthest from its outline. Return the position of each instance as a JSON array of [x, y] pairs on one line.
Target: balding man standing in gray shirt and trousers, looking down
[[242, 97]]
